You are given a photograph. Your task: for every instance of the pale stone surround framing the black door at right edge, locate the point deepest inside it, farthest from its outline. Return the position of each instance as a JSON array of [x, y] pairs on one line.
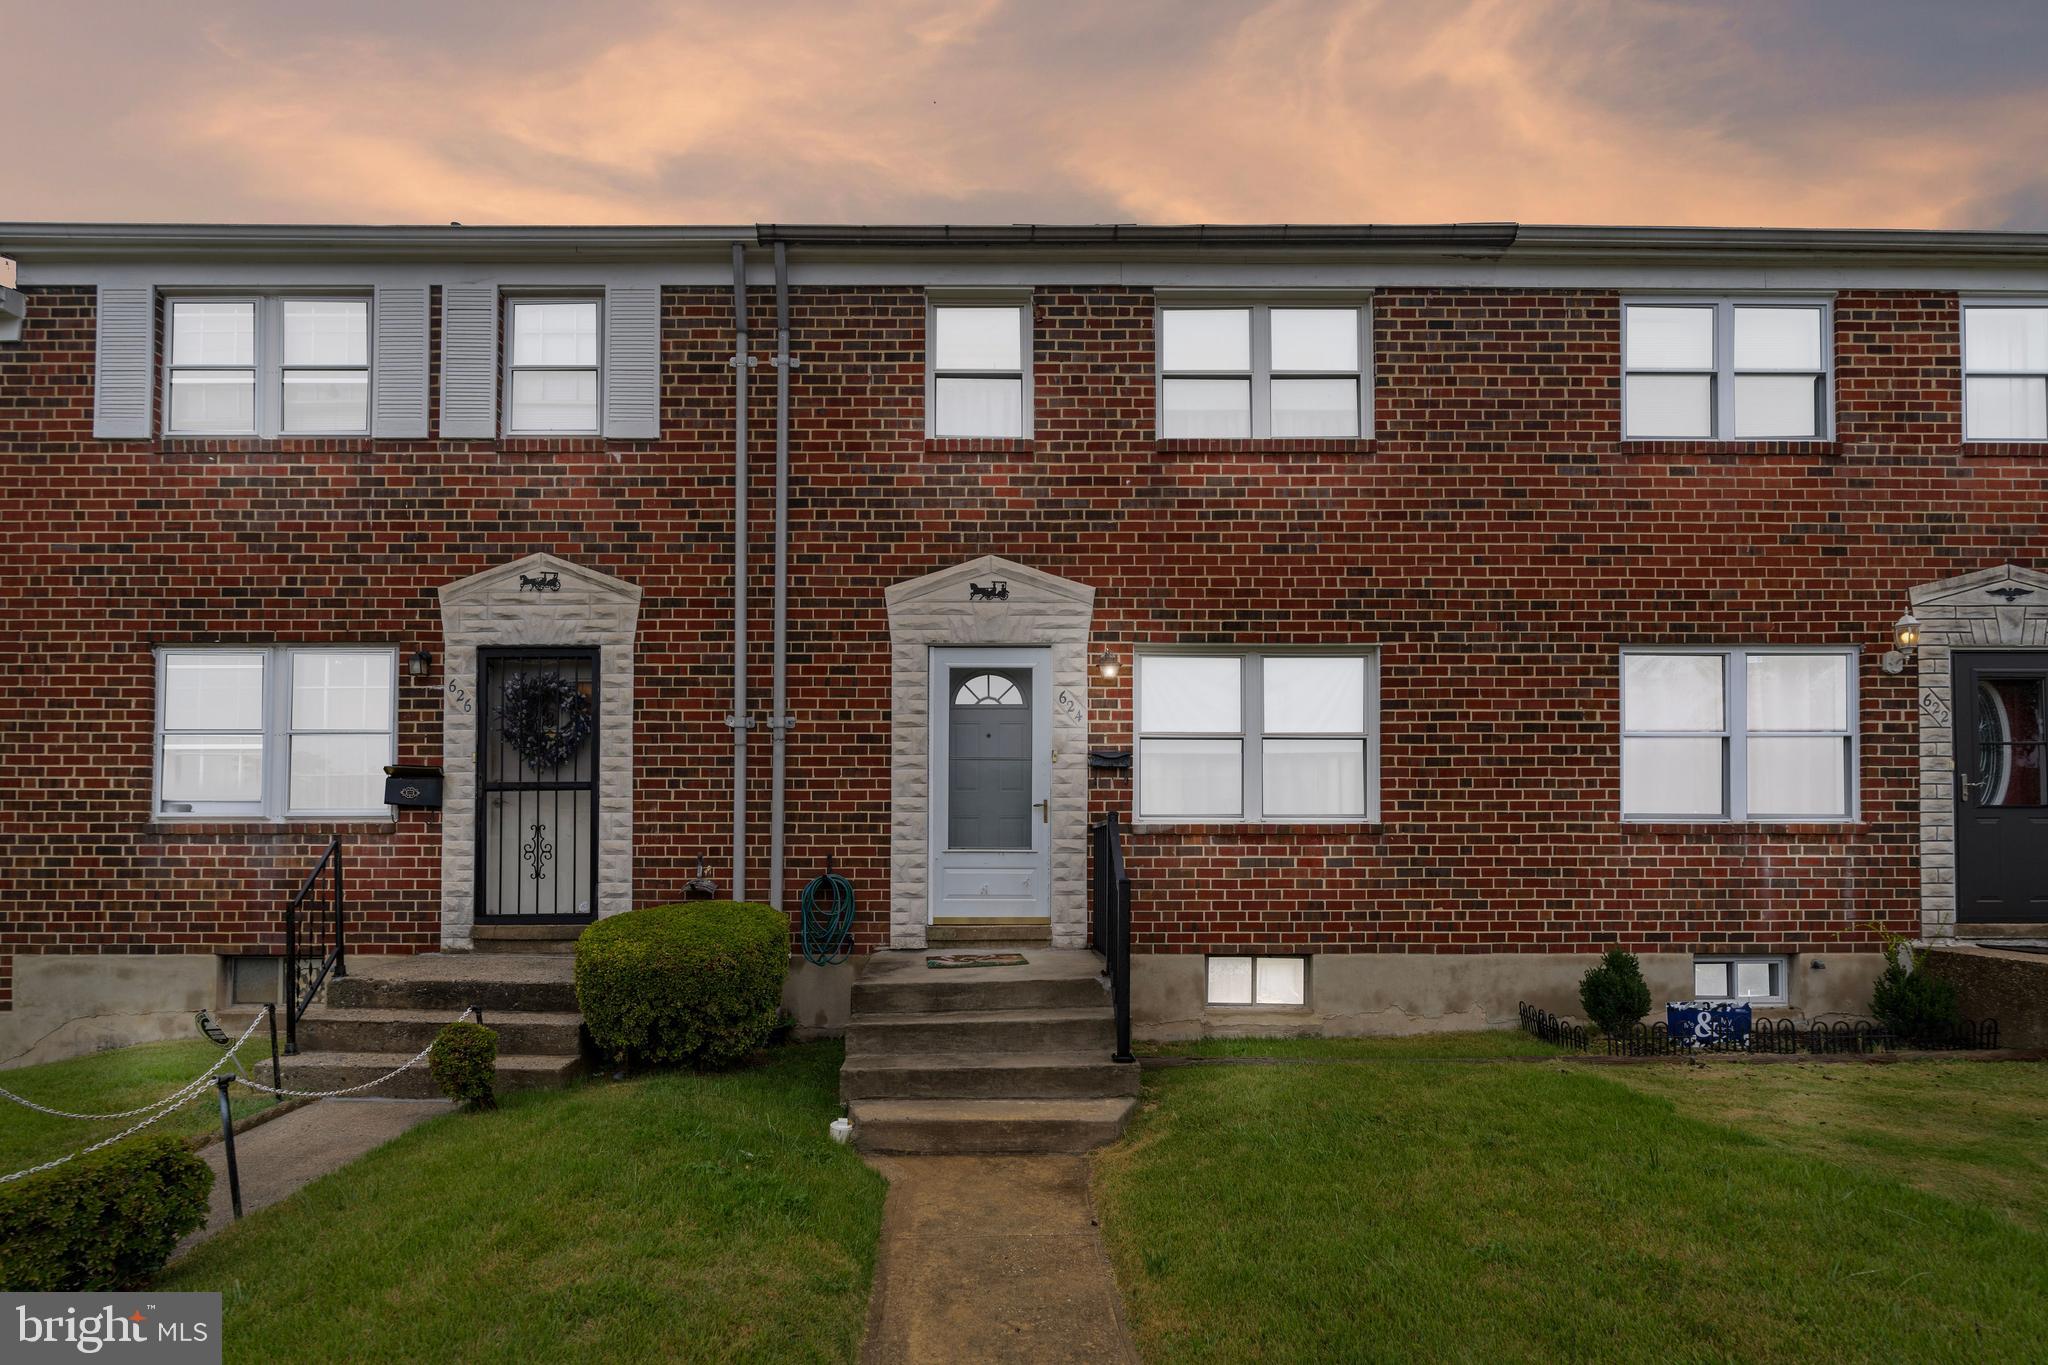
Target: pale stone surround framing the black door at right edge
[[1992, 609]]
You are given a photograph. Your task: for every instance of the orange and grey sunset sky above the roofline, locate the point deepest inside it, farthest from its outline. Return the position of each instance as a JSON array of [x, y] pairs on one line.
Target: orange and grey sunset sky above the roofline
[[1844, 114]]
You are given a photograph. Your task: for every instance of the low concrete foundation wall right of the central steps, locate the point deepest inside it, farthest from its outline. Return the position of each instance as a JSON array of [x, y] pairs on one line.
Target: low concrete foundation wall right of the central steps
[[1420, 994]]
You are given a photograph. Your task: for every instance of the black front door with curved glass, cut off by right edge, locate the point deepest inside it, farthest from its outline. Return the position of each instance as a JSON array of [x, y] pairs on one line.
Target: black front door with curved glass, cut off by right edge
[[2002, 789]]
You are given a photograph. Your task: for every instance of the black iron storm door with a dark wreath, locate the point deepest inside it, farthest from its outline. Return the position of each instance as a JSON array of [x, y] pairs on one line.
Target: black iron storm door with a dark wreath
[[538, 783]]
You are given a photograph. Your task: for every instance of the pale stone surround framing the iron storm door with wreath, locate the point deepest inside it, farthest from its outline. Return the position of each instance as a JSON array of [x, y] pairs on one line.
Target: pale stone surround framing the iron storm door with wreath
[[536, 601]]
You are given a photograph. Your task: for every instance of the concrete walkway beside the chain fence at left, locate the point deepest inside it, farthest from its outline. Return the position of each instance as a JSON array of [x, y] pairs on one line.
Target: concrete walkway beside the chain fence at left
[[296, 1149]]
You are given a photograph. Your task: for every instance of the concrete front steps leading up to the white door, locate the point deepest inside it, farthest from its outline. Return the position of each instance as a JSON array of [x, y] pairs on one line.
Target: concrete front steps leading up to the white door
[[1005, 1059]]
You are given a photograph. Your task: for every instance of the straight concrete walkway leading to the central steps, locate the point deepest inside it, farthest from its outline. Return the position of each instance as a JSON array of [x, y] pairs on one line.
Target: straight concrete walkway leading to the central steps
[[992, 1260]]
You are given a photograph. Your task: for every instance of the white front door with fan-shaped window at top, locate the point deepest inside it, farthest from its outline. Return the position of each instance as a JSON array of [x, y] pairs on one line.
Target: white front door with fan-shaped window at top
[[992, 785]]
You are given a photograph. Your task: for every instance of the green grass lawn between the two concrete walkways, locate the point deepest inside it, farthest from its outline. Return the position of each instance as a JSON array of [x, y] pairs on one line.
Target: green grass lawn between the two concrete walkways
[[675, 1217]]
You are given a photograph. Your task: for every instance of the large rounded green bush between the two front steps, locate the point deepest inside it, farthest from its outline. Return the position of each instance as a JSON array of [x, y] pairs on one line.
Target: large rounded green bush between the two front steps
[[697, 983]]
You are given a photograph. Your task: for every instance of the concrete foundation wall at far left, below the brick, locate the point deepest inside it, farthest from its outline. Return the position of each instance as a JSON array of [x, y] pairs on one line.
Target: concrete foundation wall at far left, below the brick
[[69, 1006]]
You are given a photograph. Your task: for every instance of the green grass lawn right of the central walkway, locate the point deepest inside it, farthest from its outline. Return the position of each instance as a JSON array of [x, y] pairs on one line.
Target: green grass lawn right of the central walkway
[[1525, 1213]]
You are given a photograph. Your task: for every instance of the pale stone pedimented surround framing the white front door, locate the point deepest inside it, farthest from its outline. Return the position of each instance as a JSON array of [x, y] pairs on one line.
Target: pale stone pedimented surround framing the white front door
[[986, 603]]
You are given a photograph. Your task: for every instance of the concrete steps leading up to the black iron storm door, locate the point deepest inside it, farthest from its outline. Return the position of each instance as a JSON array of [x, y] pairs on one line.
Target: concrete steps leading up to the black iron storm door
[[390, 1008]]
